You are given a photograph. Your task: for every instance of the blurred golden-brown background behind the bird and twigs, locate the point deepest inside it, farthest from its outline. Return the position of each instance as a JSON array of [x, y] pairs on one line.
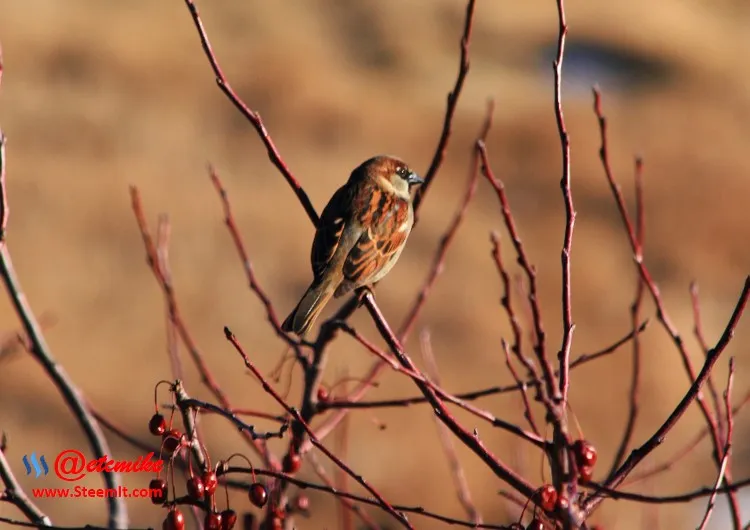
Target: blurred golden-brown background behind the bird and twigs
[[97, 96]]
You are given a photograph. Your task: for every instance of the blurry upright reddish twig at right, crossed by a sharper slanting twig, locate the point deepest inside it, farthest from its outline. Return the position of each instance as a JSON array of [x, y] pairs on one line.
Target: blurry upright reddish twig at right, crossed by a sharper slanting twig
[[635, 311]]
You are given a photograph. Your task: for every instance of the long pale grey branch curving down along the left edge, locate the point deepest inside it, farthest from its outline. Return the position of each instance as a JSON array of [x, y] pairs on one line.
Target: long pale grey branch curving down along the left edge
[[72, 395]]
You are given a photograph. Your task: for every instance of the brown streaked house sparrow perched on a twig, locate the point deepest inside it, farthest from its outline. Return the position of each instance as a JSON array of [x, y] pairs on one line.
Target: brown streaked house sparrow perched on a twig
[[360, 236]]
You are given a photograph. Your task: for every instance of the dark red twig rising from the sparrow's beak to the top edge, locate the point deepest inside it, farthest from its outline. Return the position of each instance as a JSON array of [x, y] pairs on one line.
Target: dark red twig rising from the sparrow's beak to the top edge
[[450, 110]]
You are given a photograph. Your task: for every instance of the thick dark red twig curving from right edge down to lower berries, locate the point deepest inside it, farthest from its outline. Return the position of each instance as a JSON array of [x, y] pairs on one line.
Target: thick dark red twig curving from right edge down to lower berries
[[637, 455]]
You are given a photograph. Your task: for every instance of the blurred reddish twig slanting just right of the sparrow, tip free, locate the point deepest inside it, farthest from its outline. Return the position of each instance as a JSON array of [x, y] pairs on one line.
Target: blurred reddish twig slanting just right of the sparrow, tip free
[[448, 237]]
